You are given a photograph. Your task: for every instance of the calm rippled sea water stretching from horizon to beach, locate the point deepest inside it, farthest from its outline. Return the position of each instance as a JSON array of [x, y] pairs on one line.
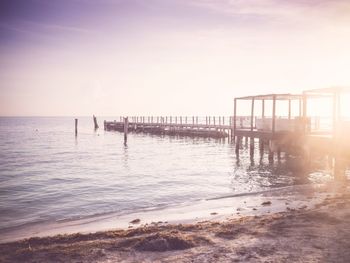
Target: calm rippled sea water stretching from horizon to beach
[[46, 174]]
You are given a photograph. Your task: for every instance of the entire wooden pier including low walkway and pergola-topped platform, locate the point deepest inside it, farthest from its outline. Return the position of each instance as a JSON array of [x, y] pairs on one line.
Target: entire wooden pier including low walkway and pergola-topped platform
[[295, 132]]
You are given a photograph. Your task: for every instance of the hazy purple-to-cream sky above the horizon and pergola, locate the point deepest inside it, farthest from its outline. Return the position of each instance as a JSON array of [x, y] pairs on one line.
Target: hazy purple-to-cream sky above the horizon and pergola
[[165, 57]]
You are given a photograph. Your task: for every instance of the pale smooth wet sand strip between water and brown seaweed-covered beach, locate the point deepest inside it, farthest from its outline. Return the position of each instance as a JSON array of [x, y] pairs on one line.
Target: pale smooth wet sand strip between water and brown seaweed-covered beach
[[216, 208]]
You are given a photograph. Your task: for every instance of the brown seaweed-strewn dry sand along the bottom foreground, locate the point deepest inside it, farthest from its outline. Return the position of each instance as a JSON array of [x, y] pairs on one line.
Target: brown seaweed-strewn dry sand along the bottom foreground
[[317, 234]]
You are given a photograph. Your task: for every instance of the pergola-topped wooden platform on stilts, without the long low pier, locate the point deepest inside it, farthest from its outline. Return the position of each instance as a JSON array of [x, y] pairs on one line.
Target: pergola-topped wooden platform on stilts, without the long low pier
[[296, 132]]
